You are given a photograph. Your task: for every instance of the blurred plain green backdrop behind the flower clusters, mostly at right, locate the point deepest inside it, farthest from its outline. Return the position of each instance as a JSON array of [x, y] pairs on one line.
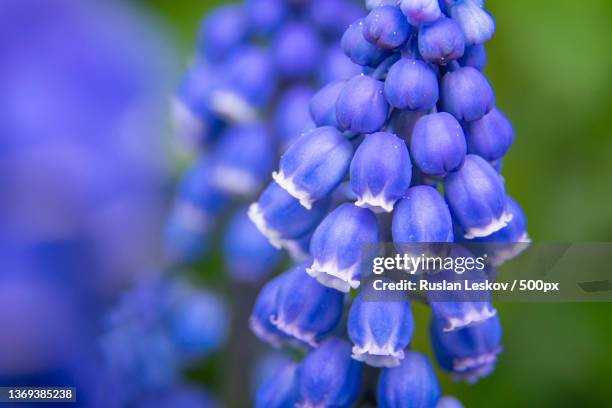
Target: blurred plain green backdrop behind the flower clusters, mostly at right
[[551, 65]]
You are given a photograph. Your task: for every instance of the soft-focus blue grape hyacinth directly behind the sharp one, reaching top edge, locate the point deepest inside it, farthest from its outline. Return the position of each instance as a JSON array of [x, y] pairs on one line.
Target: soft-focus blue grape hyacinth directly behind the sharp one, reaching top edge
[[244, 99]]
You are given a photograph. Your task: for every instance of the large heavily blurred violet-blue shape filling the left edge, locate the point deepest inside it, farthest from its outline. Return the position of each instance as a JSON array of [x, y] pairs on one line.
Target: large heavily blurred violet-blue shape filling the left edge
[[81, 176]]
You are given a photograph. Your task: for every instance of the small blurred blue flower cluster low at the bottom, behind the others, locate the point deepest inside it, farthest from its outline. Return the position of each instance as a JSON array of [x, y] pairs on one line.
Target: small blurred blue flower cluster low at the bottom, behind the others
[[159, 327]]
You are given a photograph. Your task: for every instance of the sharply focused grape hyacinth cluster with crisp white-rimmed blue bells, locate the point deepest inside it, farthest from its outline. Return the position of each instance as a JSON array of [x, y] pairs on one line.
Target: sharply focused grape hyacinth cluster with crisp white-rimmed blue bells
[[410, 151]]
